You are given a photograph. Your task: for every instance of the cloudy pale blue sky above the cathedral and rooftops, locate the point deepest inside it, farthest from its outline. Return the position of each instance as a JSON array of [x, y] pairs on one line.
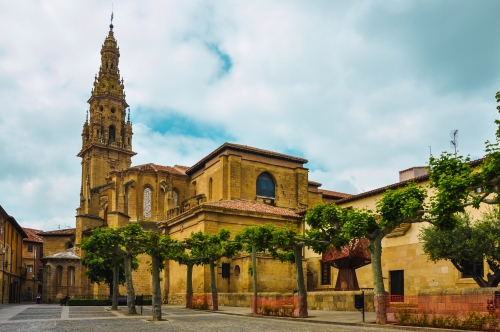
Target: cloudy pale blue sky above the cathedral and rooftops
[[362, 89]]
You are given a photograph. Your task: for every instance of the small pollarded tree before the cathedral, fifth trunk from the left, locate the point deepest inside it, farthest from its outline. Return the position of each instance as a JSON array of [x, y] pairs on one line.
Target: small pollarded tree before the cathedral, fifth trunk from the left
[[210, 248]]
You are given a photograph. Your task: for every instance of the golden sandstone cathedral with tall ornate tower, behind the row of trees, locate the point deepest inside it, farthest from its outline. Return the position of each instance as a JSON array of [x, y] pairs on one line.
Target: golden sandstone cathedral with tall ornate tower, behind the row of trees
[[231, 187]]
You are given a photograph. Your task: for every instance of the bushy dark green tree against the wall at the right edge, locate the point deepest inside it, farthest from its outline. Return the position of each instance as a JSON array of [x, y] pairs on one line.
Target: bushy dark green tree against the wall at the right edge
[[468, 243]]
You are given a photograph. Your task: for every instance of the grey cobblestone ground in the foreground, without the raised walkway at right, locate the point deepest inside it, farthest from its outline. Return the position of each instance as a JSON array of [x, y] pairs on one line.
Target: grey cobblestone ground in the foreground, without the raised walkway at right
[[83, 319]]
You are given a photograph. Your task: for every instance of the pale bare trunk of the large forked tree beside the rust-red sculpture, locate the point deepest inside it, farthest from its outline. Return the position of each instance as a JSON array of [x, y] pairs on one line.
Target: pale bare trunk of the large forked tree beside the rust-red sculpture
[[378, 280]]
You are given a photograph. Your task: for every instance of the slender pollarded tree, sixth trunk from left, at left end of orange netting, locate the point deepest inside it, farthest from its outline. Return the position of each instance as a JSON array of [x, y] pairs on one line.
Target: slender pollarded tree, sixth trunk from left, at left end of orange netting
[[255, 239]]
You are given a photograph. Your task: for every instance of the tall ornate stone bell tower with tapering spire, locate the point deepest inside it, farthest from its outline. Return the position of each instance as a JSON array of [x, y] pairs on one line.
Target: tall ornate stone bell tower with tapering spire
[[107, 131]]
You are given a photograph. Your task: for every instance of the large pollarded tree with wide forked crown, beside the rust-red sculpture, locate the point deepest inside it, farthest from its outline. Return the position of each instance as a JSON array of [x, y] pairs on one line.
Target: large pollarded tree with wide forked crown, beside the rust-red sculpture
[[333, 225]]
